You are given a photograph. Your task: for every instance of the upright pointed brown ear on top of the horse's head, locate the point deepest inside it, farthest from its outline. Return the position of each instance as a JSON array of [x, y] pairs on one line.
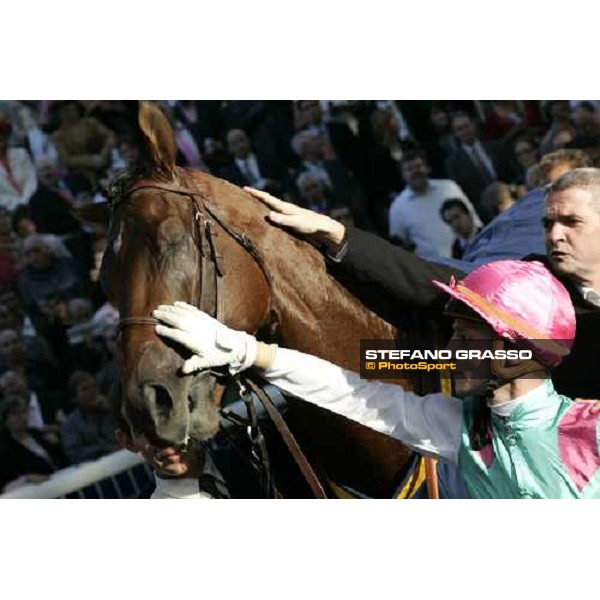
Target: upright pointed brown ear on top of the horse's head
[[159, 136]]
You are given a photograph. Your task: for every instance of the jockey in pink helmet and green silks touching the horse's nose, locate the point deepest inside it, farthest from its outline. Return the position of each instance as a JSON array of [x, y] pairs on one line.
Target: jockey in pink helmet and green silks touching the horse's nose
[[510, 433]]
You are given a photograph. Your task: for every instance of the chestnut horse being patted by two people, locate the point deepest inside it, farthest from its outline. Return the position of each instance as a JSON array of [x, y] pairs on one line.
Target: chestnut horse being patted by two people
[[271, 283]]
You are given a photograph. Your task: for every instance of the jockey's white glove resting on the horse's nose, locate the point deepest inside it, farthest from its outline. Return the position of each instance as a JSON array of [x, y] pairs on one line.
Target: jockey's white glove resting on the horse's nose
[[212, 343]]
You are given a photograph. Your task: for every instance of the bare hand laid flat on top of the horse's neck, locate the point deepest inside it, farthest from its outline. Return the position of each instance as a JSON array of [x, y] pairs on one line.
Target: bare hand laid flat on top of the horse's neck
[[315, 226]]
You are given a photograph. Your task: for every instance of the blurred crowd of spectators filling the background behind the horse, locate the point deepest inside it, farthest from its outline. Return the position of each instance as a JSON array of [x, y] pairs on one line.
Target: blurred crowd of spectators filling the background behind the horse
[[427, 175]]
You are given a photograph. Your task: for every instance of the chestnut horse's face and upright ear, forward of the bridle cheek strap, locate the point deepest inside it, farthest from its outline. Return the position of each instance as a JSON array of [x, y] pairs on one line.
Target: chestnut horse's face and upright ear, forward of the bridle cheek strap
[[154, 256]]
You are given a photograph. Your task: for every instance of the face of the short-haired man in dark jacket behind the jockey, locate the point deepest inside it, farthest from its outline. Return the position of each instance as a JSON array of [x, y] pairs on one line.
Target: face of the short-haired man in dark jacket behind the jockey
[[572, 226]]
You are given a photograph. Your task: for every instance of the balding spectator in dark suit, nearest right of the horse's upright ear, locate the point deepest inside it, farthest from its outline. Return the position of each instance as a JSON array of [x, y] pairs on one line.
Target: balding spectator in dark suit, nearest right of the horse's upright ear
[[258, 171]]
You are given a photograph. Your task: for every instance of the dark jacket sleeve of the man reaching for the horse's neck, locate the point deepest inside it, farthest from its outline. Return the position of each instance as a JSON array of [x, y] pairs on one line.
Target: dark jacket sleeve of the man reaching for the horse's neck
[[388, 278]]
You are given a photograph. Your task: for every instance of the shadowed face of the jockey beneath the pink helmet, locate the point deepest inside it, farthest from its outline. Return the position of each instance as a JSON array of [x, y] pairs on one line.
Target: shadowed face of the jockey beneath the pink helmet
[[471, 377]]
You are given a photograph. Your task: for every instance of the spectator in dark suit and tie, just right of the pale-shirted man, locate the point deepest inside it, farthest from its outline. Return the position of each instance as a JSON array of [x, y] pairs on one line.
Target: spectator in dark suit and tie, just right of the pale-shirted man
[[476, 163]]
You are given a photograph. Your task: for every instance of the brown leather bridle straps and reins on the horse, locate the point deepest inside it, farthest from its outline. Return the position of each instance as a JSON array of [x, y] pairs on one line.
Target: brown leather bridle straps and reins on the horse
[[211, 302]]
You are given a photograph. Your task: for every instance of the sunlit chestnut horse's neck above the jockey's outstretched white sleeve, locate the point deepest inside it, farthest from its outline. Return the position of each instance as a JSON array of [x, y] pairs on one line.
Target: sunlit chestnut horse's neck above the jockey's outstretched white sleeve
[[314, 313]]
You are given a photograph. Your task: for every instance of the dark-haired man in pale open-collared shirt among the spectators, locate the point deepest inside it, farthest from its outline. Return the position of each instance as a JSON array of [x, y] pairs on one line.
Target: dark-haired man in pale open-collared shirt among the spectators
[[414, 219]]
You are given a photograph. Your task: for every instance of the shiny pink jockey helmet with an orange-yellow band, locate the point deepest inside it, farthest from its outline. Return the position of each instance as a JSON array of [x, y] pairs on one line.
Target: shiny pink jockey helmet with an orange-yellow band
[[523, 303]]
